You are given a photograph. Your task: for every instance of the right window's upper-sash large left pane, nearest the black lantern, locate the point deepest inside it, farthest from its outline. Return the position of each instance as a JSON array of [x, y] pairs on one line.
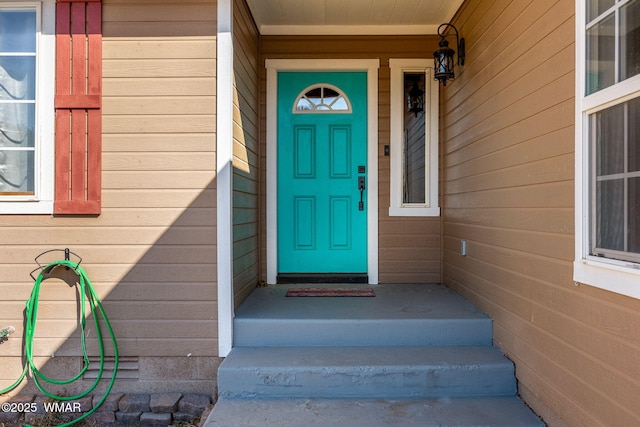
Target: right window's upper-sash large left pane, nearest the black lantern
[[601, 49]]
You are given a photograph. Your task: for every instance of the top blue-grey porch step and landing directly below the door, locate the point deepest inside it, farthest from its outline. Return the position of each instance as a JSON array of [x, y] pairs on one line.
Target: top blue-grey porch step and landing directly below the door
[[396, 316]]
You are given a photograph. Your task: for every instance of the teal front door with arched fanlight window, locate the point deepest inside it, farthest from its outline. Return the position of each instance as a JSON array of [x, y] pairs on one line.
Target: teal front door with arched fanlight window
[[322, 168]]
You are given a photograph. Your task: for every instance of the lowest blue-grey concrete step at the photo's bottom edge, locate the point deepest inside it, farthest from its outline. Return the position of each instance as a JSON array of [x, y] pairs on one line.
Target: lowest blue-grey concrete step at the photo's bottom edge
[[462, 412]]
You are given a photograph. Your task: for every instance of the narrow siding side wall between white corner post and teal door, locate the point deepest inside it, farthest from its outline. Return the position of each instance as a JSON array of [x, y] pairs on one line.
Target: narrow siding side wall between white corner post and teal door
[[246, 153]]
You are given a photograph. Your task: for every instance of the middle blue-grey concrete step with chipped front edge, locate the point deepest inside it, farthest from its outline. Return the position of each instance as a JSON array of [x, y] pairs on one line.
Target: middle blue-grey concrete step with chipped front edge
[[365, 372]]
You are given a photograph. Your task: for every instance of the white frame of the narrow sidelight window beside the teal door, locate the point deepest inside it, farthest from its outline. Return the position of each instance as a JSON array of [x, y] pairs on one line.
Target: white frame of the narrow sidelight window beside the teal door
[[398, 68]]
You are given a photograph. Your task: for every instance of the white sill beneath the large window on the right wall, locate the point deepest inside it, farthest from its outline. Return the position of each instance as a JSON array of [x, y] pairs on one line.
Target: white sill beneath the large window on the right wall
[[618, 277]]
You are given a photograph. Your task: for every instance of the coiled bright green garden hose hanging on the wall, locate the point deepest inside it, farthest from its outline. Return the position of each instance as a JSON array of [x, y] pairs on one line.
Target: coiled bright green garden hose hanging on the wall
[[31, 316]]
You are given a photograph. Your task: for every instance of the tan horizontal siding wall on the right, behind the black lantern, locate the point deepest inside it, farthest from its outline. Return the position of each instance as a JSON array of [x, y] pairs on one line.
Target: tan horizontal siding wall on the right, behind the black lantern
[[508, 132]]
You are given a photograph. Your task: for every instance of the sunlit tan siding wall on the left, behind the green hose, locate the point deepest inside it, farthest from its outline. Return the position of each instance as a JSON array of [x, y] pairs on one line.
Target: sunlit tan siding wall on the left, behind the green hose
[[151, 253]]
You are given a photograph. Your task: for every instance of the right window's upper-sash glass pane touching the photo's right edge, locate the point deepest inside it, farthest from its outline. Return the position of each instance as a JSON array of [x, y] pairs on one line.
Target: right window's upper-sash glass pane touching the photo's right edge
[[630, 40]]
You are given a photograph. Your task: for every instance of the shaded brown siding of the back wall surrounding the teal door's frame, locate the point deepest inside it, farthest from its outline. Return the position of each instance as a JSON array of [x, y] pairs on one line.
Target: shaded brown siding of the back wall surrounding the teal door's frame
[[409, 247]]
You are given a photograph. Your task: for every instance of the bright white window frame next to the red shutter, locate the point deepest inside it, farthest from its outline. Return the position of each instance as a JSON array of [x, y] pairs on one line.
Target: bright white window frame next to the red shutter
[[41, 202]]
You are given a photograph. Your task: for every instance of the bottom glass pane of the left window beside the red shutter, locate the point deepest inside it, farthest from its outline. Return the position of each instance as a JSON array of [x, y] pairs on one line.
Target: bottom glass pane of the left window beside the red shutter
[[17, 172]]
